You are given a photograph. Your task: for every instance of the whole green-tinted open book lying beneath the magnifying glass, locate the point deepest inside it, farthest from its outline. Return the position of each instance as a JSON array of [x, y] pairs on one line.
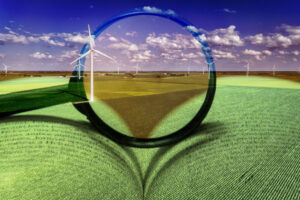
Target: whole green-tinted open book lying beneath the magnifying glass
[[247, 147]]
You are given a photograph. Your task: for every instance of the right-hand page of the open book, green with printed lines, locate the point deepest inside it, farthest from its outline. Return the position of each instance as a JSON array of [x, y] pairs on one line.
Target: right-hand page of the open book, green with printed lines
[[247, 147]]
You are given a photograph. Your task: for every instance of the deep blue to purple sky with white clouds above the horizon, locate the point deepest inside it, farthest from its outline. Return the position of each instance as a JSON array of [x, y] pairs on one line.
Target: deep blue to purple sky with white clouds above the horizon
[[47, 35]]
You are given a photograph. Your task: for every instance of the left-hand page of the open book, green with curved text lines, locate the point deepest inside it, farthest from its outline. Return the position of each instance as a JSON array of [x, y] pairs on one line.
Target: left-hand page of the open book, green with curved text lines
[[52, 157]]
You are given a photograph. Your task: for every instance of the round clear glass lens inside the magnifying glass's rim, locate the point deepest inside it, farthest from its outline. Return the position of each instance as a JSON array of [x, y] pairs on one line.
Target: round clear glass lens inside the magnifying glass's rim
[[156, 81]]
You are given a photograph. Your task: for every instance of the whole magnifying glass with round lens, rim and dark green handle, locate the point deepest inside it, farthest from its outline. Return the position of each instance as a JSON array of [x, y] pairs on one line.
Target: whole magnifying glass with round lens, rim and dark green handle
[[145, 78]]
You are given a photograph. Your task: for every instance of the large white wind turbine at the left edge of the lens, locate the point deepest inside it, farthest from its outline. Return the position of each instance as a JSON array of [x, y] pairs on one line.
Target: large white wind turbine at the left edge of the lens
[[91, 52]]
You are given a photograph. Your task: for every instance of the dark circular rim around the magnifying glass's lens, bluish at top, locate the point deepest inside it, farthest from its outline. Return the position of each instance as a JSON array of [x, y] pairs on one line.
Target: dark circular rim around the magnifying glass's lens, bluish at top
[[106, 130]]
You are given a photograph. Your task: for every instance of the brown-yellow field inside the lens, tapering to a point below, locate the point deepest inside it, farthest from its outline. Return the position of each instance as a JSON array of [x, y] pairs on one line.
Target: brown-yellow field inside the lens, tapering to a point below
[[143, 102]]
